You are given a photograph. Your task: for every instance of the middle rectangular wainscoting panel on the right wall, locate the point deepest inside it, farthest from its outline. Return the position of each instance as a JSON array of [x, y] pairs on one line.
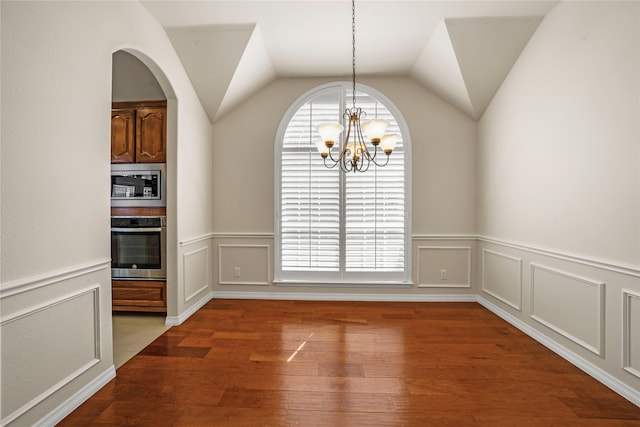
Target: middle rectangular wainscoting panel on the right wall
[[553, 291]]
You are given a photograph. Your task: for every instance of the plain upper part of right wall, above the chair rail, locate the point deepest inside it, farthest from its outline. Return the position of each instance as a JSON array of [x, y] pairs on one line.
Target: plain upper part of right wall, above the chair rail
[[559, 148]]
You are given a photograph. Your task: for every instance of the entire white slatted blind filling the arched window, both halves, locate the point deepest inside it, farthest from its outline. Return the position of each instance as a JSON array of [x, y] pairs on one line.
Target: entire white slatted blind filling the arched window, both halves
[[336, 222]]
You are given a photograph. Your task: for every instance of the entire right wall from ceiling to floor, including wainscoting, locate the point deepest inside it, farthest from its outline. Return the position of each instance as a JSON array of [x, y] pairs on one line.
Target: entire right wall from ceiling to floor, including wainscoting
[[559, 190]]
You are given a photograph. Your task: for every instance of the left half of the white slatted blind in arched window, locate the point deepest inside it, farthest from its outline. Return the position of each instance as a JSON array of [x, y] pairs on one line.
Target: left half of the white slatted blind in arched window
[[310, 194]]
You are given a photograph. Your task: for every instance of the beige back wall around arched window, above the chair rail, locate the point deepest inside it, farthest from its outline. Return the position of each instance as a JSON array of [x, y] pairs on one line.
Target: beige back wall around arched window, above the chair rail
[[443, 147]]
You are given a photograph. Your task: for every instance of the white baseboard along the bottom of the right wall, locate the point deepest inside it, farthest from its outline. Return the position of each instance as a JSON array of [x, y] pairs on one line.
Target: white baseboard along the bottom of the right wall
[[613, 383]]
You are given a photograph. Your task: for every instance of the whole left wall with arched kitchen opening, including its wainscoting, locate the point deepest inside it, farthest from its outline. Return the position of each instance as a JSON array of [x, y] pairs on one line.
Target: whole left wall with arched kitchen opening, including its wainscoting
[[55, 291]]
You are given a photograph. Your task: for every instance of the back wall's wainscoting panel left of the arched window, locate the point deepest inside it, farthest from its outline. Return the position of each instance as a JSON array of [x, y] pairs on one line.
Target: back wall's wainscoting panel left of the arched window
[[244, 264]]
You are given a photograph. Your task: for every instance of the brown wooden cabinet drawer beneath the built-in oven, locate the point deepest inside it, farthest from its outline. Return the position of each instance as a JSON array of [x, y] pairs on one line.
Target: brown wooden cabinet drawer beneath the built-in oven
[[139, 295]]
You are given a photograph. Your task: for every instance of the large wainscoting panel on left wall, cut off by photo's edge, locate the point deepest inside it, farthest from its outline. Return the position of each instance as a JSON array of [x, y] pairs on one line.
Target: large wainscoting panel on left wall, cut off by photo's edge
[[52, 344]]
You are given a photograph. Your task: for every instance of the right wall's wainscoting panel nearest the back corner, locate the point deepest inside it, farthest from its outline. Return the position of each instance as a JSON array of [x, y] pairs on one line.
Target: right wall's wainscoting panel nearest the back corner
[[502, 277]]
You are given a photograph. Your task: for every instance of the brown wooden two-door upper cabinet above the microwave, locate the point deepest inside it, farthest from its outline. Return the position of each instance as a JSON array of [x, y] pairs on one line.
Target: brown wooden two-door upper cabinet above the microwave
[[139, 132]]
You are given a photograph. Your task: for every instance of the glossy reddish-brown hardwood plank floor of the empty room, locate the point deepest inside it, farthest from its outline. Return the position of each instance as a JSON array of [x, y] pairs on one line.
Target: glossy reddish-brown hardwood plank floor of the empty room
[[302, 363]]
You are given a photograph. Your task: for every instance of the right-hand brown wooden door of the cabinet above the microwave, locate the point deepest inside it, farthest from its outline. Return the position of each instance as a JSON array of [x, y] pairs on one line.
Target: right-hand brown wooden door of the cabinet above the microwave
[[151, 139]]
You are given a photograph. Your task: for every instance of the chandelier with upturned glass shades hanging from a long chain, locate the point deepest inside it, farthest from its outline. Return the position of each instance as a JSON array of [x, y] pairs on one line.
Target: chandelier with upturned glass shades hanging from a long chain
[[355, 154]]
